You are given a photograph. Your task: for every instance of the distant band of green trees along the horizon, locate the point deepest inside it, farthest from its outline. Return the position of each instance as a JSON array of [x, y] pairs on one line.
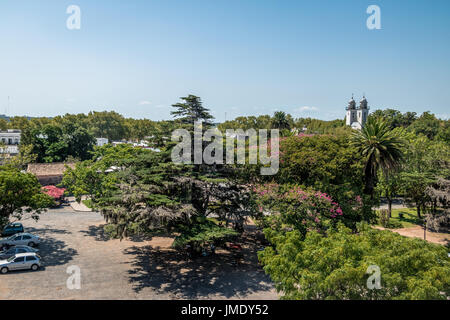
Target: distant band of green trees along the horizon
[[113, 126]]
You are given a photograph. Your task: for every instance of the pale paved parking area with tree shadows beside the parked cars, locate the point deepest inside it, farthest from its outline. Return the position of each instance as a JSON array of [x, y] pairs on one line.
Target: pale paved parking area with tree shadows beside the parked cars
[[127, 269]]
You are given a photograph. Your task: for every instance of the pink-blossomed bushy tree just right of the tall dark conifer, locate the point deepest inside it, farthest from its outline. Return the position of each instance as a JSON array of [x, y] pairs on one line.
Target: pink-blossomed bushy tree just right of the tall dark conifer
[[291, 207]]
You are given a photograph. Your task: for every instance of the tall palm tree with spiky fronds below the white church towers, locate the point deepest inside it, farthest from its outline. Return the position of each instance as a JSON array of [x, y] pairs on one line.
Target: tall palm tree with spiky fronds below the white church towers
[[382, 149]]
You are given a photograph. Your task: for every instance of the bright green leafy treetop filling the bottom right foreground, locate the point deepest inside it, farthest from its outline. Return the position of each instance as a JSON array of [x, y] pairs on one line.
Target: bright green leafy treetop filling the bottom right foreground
[[338, 265]]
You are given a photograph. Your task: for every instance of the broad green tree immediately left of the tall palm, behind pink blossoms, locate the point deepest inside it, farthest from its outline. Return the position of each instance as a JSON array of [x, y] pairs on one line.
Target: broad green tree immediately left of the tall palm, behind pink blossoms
[[327, 163]]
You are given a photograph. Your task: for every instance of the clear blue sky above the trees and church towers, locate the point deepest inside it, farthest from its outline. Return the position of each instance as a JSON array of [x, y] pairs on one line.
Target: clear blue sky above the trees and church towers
[[242, 57]]
